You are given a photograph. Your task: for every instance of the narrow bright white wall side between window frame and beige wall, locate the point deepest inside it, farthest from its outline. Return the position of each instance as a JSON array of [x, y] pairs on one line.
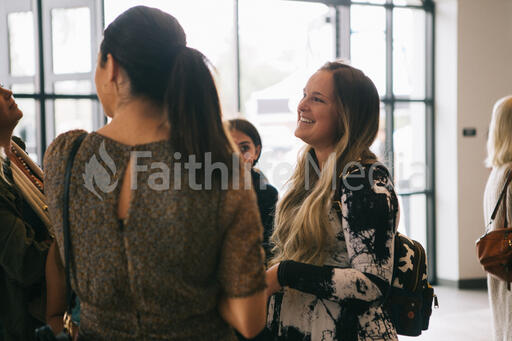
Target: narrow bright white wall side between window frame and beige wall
[[446, 141]]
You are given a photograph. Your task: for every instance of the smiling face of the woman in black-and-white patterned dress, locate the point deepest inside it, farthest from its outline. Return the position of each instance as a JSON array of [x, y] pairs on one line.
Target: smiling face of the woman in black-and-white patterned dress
[[317, 118]]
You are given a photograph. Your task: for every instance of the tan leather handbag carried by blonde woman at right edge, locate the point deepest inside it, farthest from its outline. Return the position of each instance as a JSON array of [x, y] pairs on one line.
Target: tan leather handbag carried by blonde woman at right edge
[[494, 248]]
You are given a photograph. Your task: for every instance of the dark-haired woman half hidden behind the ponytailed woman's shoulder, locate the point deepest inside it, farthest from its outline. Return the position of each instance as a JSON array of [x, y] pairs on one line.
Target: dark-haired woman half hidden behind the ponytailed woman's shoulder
[[248, 140]]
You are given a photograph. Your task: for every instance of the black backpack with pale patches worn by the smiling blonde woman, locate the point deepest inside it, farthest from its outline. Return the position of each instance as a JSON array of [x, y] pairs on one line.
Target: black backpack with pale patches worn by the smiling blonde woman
[[408, 301]]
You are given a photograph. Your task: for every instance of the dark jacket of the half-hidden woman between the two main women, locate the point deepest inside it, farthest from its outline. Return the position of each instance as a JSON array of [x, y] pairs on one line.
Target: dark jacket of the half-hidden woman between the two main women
[[267, 198]]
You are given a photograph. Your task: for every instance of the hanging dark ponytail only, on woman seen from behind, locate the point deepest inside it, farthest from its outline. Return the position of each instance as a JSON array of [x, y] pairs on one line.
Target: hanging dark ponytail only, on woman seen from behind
[[193, 109]]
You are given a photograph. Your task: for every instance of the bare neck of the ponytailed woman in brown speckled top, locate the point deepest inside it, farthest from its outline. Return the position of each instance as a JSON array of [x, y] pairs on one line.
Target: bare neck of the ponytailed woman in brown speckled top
[[137, 122]]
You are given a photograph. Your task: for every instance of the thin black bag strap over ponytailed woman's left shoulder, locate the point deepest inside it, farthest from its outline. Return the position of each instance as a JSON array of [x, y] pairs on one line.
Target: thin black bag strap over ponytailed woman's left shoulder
[[65, 221]]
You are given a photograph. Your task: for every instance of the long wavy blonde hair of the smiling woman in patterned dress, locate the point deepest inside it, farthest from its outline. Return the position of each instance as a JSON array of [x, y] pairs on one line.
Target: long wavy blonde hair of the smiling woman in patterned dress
[[302, 230]]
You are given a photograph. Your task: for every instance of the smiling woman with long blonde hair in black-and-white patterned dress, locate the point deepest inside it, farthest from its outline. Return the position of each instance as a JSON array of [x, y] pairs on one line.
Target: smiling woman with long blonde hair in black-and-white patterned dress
[[332, 268]]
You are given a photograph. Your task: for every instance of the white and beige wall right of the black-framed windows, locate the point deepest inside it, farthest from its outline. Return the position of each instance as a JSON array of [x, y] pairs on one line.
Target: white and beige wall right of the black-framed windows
[[479, 61]]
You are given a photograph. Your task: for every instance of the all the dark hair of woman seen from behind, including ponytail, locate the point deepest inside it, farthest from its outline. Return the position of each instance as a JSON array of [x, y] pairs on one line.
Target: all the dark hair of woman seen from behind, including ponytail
[[150, 46]]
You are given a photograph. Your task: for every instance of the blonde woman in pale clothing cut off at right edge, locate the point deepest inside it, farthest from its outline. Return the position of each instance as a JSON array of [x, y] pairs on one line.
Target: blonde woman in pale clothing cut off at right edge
[[499, 158]]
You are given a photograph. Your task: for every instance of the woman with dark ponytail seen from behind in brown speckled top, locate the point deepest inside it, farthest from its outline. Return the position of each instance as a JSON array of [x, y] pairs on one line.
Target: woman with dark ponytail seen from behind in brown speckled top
[[161, 248]]
